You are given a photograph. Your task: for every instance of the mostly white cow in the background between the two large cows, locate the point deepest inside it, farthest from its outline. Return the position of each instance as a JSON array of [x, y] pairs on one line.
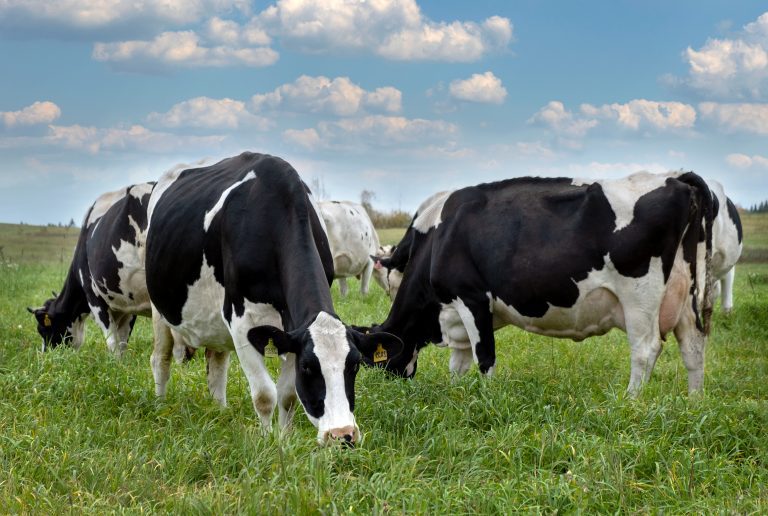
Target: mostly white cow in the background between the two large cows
[[353, 240]]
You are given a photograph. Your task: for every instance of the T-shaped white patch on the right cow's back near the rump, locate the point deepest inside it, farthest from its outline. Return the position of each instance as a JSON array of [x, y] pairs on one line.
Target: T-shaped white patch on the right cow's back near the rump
[[622, 194]]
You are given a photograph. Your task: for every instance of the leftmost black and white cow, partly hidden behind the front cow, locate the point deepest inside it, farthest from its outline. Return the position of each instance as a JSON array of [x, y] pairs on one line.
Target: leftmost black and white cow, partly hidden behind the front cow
[[106, 276]]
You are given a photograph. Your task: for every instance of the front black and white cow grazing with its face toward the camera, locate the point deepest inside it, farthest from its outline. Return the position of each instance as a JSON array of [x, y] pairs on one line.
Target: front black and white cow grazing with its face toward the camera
[[236, 253]]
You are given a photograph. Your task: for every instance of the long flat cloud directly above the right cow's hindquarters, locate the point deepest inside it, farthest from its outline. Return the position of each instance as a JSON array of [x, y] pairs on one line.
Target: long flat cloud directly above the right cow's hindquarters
[[641, 112]]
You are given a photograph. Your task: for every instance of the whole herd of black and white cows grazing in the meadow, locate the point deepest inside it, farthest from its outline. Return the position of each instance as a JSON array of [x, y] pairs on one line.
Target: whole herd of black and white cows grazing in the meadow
[[238, 256]]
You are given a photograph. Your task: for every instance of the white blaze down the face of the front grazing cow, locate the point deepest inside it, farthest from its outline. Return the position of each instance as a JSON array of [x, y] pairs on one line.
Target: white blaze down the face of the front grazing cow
[[332, 348]]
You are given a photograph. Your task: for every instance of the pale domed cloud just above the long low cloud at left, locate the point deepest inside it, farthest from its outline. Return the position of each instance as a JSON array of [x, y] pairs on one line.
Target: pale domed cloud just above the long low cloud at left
[[209, 113]]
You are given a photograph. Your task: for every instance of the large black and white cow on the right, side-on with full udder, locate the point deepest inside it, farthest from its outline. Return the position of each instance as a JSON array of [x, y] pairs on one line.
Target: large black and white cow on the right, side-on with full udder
[[563, 258]]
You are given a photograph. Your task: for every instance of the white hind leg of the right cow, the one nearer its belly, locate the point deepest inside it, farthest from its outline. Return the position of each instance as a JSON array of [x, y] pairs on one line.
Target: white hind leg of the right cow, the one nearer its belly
[[645, 347]]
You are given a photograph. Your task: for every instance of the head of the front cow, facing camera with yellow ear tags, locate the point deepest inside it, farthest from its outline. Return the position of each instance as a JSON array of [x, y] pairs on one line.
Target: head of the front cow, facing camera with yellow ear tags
[[328, 356]]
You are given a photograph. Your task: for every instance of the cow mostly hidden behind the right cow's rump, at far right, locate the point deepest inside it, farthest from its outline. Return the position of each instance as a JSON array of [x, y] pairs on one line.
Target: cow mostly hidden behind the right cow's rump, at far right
[[726, 244]]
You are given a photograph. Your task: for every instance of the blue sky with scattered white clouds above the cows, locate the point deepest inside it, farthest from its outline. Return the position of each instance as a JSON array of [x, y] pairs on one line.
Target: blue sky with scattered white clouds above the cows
[[402, 98]]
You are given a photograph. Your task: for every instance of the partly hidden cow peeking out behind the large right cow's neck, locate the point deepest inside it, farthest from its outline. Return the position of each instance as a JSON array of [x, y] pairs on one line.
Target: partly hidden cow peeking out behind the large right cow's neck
[[389, 264]]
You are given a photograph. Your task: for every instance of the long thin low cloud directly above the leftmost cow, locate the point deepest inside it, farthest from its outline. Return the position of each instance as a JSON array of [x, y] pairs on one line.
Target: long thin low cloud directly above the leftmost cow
[[136, 137]]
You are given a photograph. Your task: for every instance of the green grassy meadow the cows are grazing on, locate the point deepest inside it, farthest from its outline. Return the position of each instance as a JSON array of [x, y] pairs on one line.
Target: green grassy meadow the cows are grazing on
[[551, 432]]
